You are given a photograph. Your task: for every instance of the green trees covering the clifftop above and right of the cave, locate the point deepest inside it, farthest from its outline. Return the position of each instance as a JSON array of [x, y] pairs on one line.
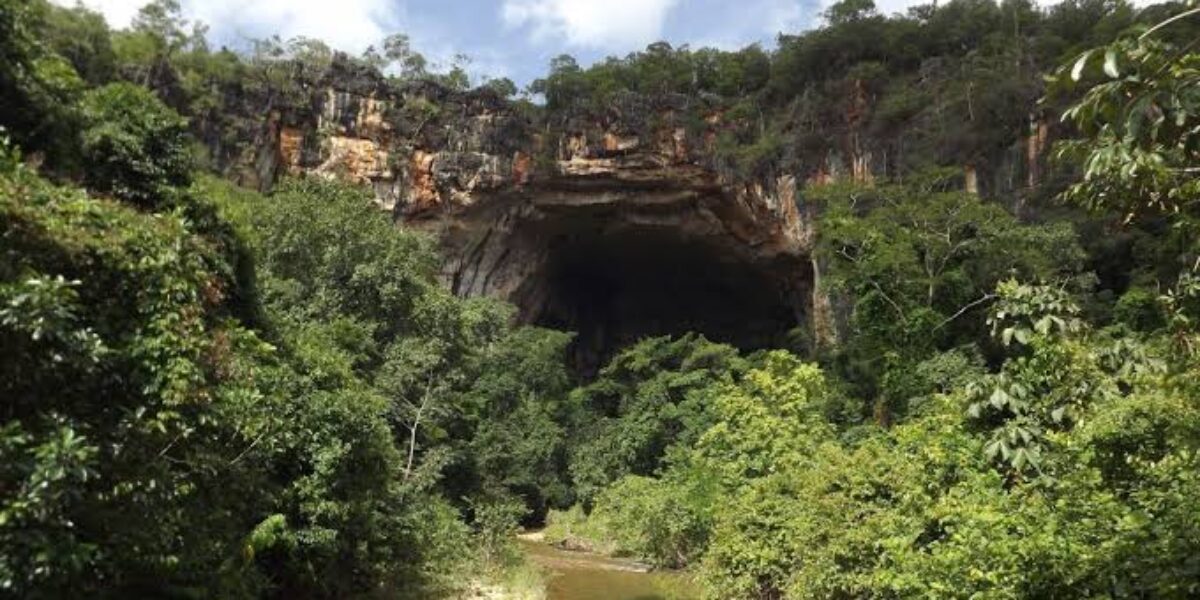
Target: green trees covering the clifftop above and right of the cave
[[950, 83]]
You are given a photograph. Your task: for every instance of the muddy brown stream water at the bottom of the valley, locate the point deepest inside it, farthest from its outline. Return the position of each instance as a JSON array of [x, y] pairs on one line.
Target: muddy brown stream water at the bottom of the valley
[[586, 577]]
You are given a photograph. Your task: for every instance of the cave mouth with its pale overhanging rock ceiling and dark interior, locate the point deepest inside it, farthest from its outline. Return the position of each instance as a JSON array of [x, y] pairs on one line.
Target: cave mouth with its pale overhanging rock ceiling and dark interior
[[619, 255]]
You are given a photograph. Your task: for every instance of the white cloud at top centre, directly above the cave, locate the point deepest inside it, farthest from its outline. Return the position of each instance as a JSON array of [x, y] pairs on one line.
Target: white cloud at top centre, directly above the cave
[[590, 23]]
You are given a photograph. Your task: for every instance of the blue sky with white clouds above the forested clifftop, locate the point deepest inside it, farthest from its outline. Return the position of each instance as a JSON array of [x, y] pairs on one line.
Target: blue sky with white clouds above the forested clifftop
[[514, 39]]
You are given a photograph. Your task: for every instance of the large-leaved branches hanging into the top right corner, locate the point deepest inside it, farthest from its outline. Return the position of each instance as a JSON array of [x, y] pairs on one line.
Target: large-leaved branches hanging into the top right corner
[[1141, 122]]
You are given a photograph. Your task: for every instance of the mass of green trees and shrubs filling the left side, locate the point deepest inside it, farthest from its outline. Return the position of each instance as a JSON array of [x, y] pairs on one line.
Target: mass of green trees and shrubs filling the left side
[[213, 394]]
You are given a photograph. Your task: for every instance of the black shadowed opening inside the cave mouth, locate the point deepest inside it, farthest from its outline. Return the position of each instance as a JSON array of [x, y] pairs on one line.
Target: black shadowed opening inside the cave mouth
[[616, 283]]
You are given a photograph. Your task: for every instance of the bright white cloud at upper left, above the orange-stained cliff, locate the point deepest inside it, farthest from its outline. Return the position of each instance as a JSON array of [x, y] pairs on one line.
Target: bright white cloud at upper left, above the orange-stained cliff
[[345, 25]]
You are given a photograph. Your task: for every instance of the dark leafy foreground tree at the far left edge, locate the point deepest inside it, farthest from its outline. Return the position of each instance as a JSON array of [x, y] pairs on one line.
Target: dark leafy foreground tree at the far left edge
[[131, 404]]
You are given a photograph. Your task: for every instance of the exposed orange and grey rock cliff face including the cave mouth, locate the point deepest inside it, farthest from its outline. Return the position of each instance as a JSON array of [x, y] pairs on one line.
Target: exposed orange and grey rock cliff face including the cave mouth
[[616, 226]]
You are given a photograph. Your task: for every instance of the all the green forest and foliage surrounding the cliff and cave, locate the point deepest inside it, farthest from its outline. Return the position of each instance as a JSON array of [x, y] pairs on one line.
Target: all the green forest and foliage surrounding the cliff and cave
[[212, 393]]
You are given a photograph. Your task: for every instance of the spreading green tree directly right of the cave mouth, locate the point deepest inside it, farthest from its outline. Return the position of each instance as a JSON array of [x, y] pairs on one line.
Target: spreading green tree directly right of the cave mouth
[[921, 267]]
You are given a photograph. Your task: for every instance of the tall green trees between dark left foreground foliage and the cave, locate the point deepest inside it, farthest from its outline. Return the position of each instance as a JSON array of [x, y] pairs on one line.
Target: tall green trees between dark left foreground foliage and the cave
[[377, 358]]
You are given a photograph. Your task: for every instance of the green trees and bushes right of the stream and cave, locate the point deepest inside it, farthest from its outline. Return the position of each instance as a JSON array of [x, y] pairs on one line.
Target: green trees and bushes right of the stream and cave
[[1000, 423]]
